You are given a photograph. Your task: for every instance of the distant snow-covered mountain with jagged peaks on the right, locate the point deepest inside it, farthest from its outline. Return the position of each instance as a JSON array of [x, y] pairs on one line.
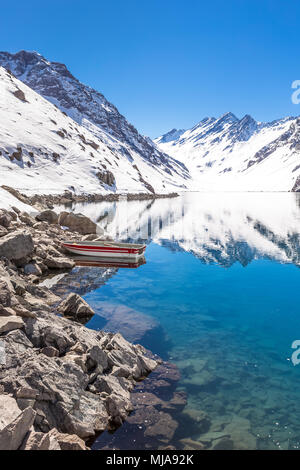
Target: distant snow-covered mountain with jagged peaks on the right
[[239, 154]]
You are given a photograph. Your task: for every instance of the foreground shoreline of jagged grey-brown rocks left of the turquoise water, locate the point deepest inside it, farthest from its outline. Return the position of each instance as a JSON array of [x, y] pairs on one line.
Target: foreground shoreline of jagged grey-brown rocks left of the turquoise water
[[61, 384]]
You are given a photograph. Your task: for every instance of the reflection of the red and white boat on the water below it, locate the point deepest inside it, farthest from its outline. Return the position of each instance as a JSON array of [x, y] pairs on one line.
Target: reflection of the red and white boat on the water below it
[[108, 262]]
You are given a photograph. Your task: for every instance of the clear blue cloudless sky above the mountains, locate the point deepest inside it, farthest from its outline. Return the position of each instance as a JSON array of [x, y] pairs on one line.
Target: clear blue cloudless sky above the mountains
[[168, 63]]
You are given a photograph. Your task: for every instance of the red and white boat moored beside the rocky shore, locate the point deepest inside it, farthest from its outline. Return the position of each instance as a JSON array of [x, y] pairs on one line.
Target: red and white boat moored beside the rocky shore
[[106, 249]]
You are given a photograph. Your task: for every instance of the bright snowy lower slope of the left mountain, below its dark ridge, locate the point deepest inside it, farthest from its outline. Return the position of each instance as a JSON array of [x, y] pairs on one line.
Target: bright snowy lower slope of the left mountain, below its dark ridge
[[43, 150]]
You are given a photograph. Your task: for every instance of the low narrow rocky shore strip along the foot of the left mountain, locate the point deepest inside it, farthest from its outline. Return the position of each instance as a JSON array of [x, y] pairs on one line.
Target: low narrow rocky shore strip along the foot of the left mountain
[[42, 201]]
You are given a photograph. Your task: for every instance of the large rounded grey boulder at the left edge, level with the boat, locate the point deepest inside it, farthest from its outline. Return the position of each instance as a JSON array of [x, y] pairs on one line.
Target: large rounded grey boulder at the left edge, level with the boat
[[16, 246]]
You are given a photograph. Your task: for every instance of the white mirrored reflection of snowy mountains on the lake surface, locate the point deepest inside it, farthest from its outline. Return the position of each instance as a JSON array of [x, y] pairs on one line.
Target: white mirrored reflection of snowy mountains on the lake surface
[[215, 227]]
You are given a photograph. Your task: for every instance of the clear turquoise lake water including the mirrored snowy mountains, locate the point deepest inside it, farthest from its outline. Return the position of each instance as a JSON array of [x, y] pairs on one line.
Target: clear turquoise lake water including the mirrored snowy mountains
[[227, 300]]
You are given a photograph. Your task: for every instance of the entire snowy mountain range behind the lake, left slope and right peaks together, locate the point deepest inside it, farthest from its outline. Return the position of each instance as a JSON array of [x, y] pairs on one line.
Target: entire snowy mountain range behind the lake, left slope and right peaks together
[[58, 134]]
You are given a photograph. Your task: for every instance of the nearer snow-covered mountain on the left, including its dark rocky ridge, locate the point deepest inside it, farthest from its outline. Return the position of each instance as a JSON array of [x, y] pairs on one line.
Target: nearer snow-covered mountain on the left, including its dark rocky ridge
[[56, 133]]
